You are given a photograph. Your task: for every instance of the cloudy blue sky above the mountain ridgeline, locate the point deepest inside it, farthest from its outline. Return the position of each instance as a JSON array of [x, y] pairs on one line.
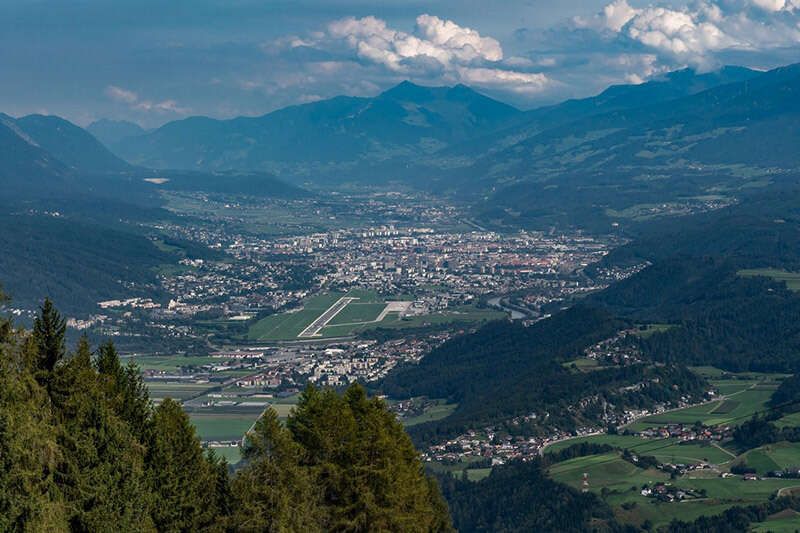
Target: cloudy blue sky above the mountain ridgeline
[[153, 61]]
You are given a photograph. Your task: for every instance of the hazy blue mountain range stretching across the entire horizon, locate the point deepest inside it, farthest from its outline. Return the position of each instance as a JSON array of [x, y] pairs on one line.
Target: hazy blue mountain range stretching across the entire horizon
[[627, 155]]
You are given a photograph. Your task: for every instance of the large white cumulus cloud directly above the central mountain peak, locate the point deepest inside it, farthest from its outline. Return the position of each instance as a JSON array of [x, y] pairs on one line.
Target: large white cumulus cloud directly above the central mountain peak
[[437, 49]]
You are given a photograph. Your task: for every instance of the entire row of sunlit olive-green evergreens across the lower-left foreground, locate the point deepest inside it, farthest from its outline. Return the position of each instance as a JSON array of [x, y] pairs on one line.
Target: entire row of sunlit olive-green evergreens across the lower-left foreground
[[82, 448]]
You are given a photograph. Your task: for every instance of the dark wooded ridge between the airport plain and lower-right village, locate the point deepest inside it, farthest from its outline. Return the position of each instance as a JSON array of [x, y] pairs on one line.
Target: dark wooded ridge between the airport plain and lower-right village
[[505, 370]]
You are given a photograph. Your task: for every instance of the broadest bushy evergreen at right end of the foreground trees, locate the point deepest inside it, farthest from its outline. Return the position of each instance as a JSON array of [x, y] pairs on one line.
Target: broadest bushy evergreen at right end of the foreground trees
[[370, 473]]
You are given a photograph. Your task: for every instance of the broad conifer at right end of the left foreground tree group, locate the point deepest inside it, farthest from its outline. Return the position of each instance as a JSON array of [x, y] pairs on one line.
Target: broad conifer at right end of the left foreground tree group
[[181, 479]]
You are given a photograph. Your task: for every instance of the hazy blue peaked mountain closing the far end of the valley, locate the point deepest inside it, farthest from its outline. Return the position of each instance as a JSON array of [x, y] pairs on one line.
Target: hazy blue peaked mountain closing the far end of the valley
[[405, 121]]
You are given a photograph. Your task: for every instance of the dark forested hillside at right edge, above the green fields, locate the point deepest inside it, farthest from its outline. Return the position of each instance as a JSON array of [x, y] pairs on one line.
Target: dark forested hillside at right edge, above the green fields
[[721, 318]]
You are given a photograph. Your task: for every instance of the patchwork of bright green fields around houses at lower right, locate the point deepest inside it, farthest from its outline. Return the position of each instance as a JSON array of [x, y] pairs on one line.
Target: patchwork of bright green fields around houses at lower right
[[619, 482]]
